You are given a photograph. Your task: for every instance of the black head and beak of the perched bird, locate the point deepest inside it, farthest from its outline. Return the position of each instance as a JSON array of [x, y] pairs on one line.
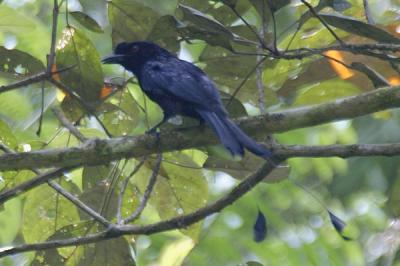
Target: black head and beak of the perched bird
[[132, 55]]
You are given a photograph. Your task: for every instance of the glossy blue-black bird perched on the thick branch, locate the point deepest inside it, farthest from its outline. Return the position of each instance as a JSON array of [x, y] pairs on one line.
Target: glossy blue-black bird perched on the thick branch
[[181, 88]]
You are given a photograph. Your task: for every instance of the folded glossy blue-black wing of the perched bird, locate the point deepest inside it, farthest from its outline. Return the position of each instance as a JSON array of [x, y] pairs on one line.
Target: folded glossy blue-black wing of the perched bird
[[182, 80]]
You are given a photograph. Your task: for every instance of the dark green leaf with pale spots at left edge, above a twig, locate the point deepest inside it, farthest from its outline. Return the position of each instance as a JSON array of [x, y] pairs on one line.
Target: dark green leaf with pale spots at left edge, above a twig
[[17, 62]]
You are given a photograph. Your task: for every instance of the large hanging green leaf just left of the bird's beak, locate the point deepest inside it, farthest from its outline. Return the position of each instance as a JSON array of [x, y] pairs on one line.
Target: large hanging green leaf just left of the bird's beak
[[86, 77]]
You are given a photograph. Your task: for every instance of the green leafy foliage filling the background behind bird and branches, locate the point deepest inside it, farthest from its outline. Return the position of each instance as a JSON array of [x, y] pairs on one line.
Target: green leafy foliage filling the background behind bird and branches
[[361, 191]]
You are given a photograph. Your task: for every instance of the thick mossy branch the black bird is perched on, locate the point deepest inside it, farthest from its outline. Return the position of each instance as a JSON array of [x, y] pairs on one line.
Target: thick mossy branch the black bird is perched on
[[96, 152]]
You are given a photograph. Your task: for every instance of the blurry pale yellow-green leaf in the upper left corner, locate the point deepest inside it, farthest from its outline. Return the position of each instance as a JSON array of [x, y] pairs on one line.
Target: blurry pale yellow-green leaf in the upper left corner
[[13, 21]]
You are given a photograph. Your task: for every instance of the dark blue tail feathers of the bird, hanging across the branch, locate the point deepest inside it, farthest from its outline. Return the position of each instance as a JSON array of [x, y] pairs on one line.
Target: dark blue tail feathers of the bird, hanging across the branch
[[231, 136]]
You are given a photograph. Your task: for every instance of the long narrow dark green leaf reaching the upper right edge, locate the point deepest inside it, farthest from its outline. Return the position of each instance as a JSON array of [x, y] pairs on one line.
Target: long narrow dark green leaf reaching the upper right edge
[[358, 27]]
